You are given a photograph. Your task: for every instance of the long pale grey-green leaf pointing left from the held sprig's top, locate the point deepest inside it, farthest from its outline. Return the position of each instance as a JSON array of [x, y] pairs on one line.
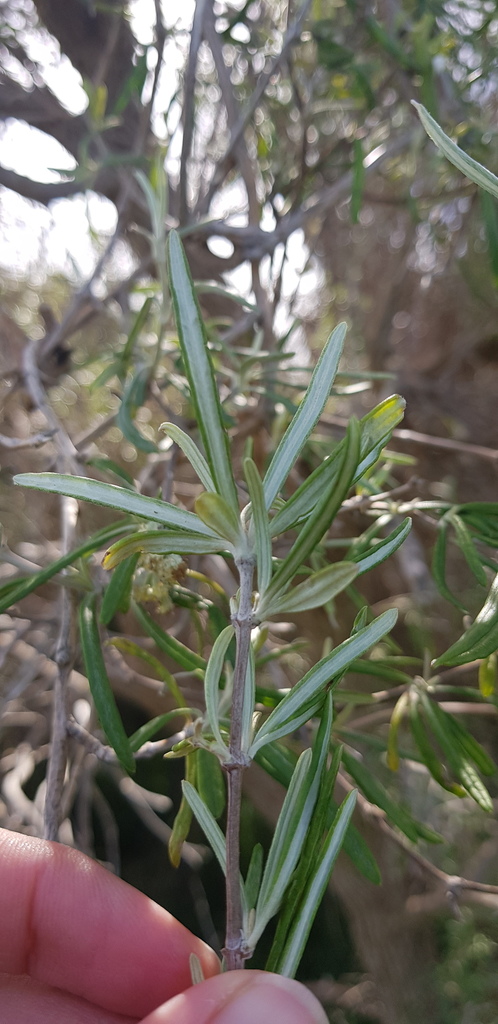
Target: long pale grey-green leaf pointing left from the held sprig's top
[[113, 497]]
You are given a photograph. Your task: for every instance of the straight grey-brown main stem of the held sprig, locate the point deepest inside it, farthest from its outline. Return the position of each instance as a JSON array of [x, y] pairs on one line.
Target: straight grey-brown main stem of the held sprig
[[243, 622]]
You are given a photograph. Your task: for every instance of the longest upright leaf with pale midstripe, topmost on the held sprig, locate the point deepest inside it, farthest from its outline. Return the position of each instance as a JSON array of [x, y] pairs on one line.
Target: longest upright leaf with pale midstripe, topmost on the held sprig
[[199, 372]]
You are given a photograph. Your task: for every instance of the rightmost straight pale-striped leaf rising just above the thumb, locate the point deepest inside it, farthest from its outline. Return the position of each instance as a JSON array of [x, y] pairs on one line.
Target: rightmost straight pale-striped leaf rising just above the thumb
[[292, 957]]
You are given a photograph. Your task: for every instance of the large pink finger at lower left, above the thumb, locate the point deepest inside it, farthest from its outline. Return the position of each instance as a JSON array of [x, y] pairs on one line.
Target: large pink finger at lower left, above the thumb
[[68, 923]]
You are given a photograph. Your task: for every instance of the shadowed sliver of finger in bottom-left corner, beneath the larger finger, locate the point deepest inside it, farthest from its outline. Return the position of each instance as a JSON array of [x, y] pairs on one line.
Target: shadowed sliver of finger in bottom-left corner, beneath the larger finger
[[23, 1000]]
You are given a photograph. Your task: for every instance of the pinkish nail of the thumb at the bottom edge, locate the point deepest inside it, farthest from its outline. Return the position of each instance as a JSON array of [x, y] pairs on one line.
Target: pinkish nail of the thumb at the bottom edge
[[272, 999]]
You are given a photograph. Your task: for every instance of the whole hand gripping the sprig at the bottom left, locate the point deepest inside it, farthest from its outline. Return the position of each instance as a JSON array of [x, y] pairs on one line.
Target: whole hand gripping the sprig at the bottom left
[[80, 947]]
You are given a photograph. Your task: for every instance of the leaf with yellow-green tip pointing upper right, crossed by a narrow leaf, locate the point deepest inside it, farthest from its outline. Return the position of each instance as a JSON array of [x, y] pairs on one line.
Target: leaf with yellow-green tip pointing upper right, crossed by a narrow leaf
[[377, 430]]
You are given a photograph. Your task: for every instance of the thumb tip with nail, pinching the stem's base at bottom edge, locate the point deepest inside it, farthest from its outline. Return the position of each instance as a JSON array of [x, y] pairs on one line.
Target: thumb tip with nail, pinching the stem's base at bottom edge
[[242, 998]]
